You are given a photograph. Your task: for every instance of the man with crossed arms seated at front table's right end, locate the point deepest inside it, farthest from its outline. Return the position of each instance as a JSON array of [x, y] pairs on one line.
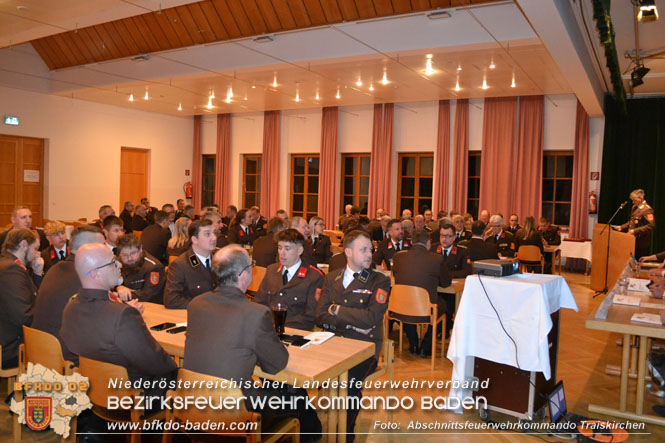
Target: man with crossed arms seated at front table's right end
[[352, 304]]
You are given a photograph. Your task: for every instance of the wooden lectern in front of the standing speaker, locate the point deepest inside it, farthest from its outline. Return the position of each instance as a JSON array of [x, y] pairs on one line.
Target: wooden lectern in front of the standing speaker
[[621, 246]]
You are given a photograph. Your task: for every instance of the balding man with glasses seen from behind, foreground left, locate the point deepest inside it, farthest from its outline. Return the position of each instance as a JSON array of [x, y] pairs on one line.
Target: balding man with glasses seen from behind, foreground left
[[97, 327]]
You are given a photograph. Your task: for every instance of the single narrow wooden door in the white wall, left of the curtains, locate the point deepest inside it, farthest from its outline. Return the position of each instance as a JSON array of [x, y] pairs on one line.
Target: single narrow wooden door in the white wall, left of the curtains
[[133, 175]]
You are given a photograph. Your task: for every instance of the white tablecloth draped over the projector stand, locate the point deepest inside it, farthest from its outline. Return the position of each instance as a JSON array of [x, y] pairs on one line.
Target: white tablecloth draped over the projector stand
[[524, 303]]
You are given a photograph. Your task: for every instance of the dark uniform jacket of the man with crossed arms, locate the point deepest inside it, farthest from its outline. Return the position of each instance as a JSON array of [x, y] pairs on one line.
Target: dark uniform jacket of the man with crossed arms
[[362, 306]]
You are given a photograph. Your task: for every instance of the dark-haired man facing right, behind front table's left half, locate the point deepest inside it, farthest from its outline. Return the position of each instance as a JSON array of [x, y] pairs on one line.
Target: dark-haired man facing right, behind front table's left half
[[189, 274]]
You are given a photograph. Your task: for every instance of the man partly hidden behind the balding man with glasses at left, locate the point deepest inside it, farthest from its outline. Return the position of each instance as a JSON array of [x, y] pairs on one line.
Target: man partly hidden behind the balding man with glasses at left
[[62, 283]]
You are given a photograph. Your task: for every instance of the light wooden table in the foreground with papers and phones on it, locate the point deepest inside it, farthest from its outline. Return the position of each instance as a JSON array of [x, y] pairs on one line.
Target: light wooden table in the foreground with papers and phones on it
[[328, 361]]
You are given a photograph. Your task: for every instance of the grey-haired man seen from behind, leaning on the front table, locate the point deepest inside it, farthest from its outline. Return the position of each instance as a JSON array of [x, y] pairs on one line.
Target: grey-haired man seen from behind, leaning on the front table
[[228, 335]]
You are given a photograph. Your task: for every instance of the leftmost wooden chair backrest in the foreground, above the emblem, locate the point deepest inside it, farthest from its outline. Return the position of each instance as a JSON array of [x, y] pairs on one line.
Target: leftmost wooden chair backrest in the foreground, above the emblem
[[42, 348]]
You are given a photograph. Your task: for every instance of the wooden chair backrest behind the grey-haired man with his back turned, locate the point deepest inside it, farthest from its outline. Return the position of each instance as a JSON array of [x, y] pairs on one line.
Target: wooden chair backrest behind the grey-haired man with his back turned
[[219, 390]]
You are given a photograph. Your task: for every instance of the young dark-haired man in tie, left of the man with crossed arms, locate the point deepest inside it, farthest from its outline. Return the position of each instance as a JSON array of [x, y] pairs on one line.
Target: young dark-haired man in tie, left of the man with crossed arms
[[291, 283]]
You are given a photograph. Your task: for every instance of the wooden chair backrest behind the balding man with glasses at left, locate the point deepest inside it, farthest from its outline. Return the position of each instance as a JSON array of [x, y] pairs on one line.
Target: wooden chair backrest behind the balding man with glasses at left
[[99, 373]]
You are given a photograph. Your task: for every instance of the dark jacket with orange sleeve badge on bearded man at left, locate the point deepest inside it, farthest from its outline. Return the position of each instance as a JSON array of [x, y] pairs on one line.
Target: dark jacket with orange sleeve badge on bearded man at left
[[147, 282]]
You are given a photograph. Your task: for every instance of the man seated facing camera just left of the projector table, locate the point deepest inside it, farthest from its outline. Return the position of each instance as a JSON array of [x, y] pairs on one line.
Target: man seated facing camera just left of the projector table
[[459, 266]]
